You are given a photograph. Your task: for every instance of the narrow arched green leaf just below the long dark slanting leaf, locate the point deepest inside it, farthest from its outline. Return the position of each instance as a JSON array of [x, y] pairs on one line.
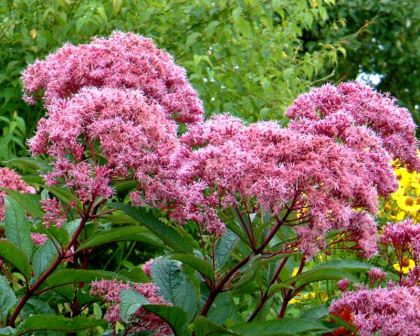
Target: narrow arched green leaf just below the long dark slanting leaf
[[128, 233]]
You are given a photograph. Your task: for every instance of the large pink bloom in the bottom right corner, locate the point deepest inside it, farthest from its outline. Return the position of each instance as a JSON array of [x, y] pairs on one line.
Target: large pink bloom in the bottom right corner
[[384, 311]]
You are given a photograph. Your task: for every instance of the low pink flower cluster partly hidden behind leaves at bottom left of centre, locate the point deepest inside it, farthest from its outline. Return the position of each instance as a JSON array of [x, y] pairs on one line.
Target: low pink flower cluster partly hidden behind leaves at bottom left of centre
[[110, 290]]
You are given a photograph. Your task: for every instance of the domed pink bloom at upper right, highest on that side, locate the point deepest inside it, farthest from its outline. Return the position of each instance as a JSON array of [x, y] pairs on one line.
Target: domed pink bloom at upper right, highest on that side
[[338, 111]]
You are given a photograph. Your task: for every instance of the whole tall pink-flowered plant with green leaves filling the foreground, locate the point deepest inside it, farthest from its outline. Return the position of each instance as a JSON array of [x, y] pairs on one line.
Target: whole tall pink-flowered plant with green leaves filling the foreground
[[239, 214]]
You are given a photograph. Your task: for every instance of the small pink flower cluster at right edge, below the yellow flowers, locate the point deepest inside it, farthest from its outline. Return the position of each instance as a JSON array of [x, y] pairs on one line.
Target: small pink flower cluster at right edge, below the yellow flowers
[[404, 237]]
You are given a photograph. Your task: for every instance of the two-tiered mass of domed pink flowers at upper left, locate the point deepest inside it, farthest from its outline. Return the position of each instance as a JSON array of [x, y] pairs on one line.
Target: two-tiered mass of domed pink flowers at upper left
[[116, 99]]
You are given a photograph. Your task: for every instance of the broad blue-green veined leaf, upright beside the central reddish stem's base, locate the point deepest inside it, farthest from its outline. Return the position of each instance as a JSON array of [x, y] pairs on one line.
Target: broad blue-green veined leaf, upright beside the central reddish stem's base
[[174, 285]]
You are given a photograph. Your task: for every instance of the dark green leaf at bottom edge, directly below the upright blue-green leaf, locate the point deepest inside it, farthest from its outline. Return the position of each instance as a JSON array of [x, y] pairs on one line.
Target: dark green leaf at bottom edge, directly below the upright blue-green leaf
[[174, 316]]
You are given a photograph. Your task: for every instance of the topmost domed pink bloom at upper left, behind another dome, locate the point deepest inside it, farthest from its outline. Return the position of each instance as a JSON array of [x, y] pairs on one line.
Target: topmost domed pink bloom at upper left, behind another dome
[[124, 60]]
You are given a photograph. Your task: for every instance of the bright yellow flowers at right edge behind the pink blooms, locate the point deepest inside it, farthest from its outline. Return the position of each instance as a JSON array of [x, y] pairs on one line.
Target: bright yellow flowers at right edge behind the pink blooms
[[404, 203]]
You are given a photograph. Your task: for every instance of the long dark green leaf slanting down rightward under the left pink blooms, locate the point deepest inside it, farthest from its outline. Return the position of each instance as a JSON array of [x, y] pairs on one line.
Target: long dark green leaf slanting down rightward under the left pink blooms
[[169, 235]]
